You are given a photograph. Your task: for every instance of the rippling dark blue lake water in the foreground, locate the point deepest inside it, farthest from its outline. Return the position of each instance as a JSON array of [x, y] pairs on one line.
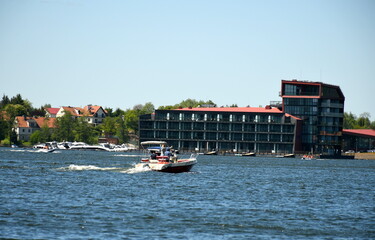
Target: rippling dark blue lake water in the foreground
[[99, 195]]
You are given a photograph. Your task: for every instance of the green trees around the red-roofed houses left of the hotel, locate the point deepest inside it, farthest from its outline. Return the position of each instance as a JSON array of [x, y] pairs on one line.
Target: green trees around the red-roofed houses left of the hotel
[[122, 124]]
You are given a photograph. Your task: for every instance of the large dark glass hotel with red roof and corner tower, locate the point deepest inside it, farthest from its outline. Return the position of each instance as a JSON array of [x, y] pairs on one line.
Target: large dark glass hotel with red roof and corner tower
[[309, 119]]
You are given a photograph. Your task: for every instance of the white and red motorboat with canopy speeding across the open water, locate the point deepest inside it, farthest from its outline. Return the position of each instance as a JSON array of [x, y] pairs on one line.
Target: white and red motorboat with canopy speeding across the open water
[[161, 158]]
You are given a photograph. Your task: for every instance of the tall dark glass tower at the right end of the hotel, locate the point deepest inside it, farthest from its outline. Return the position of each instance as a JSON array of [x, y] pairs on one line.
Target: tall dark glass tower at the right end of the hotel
[[321, 107]]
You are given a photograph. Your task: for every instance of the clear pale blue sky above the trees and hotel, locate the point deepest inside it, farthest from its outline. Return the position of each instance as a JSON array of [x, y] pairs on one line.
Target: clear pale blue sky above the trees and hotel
[[123, 53]]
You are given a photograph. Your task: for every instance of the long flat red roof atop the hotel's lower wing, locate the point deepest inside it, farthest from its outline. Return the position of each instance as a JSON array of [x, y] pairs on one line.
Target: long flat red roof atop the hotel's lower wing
[[233, 109]]
